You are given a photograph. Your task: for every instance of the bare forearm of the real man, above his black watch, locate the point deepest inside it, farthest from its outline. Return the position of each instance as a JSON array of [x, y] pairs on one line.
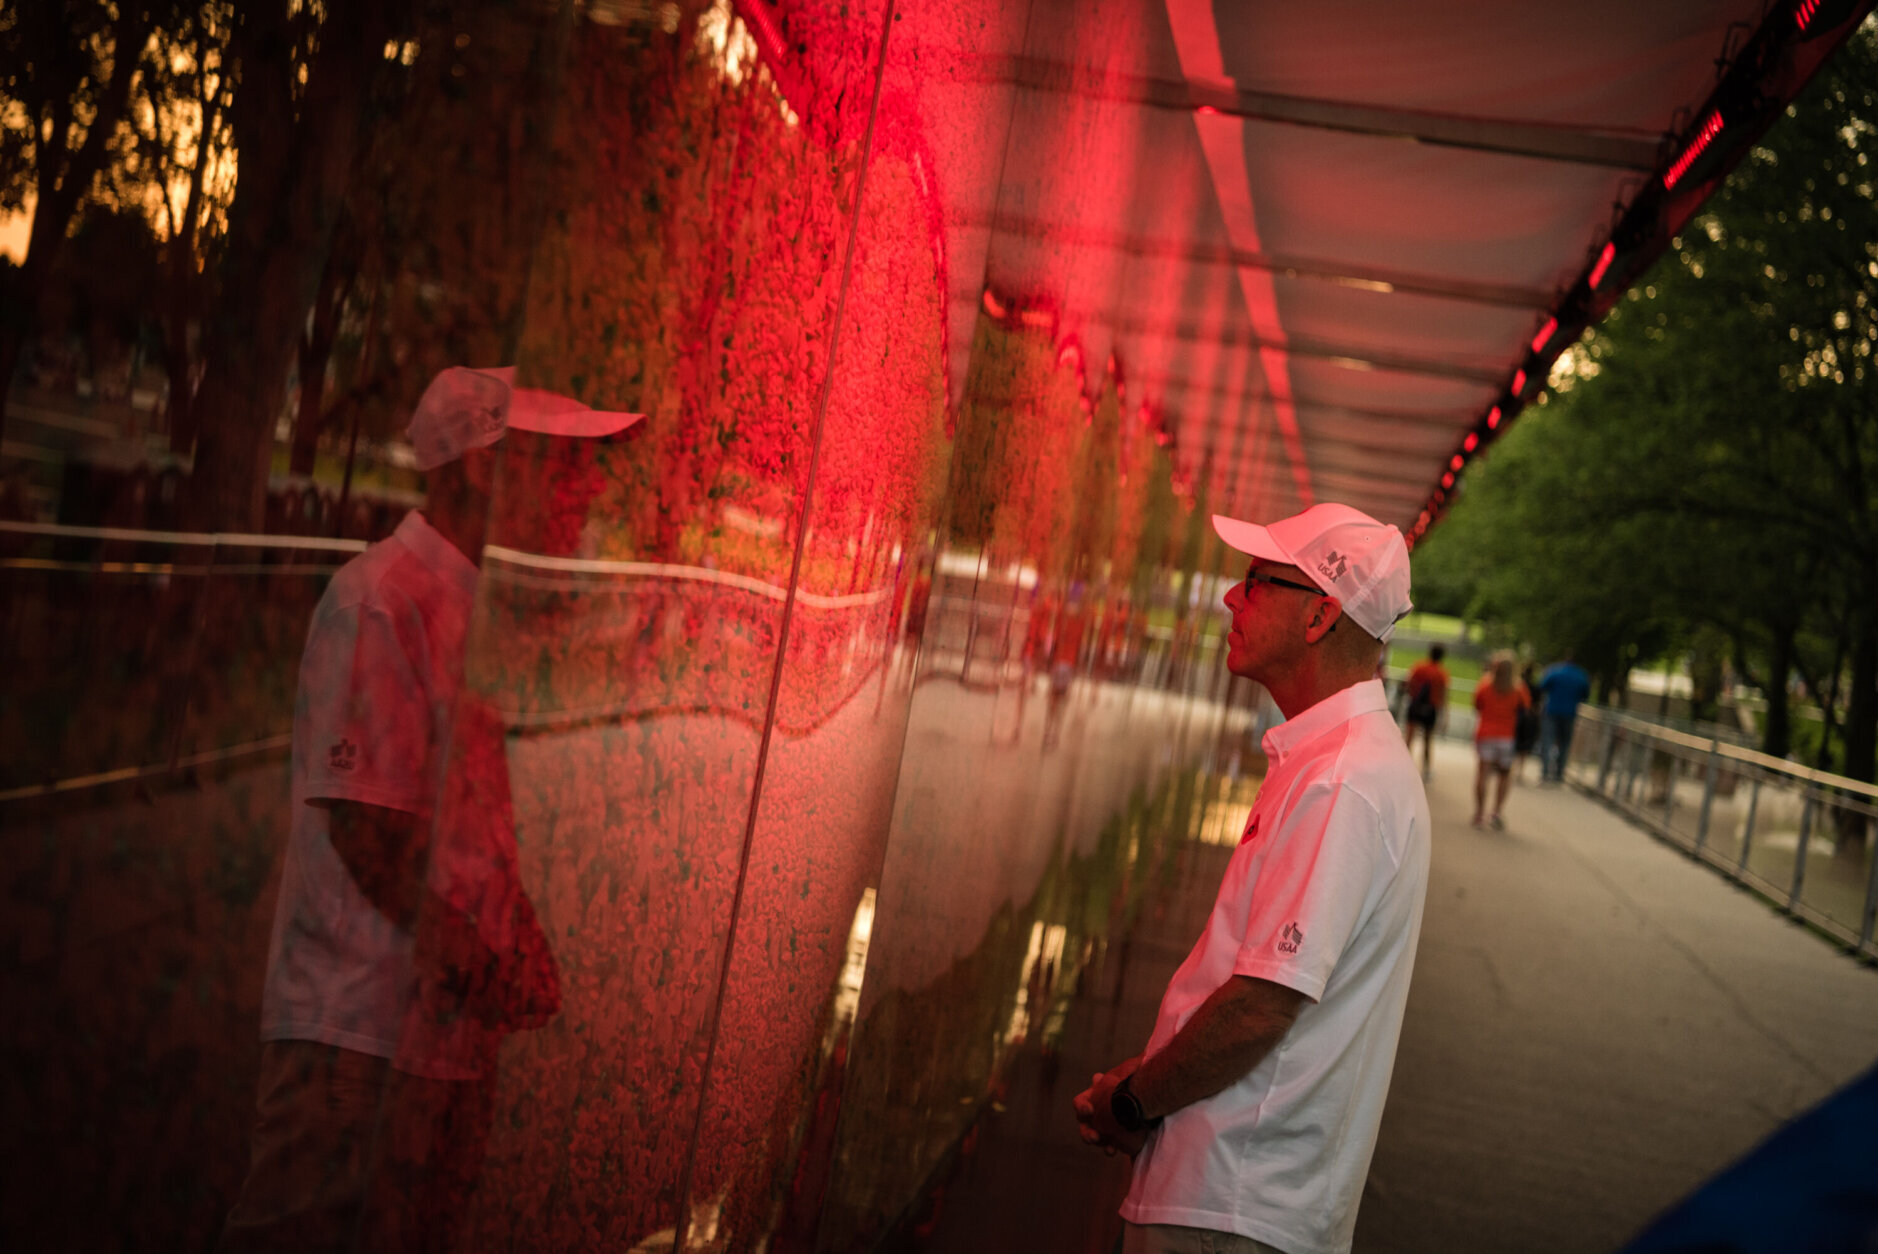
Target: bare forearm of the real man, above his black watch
[[1225, 1039]]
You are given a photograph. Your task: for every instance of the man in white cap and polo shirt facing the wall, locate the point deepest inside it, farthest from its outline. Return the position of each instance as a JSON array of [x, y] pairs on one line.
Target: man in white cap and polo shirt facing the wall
[[1254, 1112]]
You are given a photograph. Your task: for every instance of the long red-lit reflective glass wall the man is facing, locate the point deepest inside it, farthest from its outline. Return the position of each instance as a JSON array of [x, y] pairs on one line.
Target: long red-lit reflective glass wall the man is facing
[[816, 729]]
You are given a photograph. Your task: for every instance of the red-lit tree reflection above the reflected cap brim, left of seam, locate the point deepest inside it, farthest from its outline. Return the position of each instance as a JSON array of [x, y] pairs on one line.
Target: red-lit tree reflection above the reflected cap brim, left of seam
[[688, 273]]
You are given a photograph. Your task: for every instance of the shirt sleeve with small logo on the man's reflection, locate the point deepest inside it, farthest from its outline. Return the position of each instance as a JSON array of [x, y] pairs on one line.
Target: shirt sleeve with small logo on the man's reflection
[[365, 714]]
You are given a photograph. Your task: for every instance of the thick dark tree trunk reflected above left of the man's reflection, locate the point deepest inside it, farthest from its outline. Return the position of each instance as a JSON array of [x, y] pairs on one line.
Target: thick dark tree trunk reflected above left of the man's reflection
[[296, 164]]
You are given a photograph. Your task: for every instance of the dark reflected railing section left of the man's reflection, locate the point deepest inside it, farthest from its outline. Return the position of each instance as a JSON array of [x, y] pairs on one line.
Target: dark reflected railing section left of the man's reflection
[[147, 654]]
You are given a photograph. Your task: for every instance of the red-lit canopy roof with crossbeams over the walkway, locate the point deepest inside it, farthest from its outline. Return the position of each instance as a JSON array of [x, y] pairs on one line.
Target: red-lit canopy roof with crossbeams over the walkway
[[1325, 237]]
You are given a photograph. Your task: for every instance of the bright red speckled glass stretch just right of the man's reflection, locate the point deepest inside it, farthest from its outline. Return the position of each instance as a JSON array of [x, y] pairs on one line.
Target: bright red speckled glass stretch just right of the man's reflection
[[690, 268]]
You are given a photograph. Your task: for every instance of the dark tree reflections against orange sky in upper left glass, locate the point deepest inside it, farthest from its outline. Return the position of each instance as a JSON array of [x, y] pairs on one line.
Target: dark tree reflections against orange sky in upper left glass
[[341, 191]]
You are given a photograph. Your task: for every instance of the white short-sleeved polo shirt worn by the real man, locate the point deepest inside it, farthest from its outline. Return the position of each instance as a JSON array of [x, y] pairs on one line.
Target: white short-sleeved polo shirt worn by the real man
[[1323, 896]]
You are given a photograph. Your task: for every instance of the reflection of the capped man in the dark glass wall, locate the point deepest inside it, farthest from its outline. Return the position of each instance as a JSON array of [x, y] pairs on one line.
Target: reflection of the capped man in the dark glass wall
[[403, 945]]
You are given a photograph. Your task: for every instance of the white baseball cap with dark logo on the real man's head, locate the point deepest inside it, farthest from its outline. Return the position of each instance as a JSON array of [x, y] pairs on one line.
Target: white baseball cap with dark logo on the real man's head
[[1353, 558]]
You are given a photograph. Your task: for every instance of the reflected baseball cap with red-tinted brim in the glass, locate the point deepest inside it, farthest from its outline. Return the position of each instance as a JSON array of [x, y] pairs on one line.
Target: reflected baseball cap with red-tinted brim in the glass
[[469, 408]]
